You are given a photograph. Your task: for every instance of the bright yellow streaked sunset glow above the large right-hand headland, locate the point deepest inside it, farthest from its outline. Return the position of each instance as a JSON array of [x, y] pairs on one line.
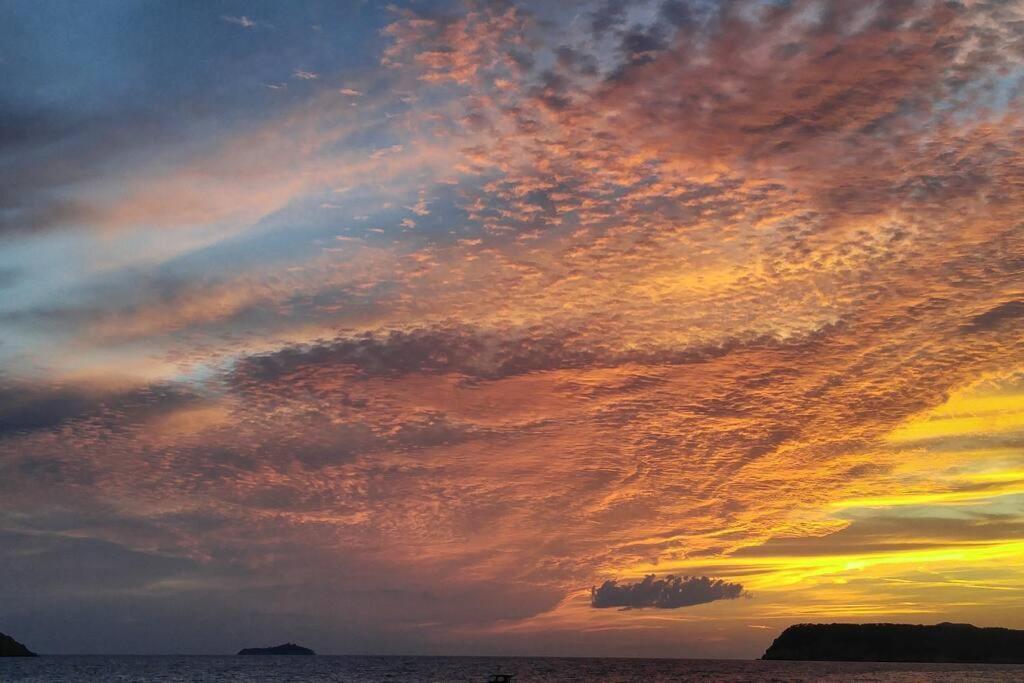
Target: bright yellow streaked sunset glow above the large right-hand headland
[[979, 479]]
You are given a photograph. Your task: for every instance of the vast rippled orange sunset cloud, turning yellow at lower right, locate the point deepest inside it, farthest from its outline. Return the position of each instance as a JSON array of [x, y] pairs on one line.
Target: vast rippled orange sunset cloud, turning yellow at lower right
[[714, 303]]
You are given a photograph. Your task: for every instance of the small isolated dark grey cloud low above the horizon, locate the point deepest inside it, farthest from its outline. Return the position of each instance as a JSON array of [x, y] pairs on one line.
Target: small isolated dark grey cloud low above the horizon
[[668, 593]]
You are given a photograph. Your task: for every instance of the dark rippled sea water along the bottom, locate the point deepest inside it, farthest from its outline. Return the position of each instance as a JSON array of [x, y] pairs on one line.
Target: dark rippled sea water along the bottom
[[528, 670]]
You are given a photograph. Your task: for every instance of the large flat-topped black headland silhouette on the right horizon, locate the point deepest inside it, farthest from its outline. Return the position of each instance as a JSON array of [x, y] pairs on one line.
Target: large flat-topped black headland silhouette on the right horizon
[[899, 643]]
